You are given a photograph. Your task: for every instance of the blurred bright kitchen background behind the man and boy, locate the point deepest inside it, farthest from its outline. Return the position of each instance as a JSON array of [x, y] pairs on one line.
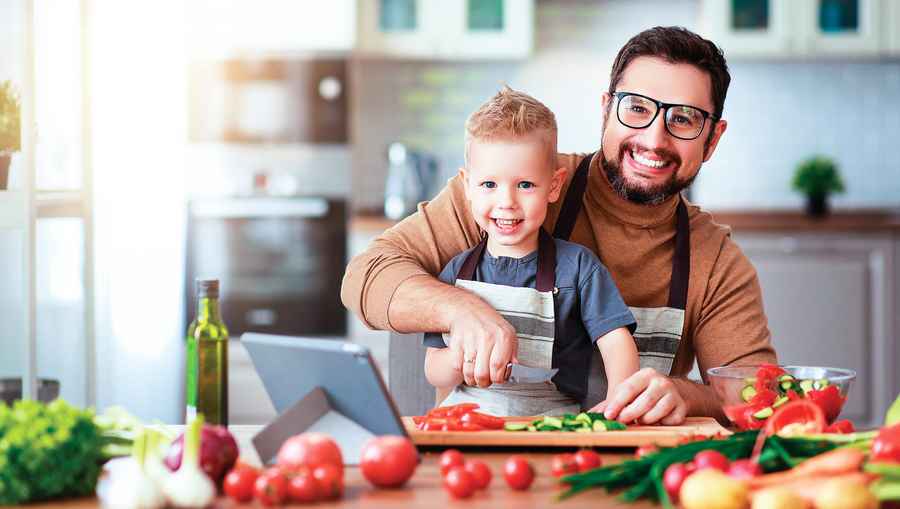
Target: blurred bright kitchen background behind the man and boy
[[264, 143]]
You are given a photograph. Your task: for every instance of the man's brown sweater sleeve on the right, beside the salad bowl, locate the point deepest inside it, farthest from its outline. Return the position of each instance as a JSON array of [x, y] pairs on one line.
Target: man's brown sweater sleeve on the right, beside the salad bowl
[[732, 328]]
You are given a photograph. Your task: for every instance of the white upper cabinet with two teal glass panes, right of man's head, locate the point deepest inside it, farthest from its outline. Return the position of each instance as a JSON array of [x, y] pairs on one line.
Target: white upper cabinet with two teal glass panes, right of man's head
[[803, 28]]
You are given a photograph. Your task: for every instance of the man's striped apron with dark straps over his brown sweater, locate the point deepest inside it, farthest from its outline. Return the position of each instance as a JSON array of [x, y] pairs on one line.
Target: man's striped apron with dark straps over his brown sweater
[[659, 330]]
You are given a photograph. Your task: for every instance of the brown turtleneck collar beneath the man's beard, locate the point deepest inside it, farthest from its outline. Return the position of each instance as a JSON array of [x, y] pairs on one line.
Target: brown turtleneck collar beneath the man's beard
[[601, 194]]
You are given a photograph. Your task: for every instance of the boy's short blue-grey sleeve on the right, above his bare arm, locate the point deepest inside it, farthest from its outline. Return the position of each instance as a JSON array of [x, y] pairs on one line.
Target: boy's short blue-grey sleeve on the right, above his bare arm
[[602, 307]]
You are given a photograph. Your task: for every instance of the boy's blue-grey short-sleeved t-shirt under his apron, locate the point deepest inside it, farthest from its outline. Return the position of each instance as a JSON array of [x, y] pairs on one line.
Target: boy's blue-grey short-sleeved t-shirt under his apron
[[587, 306]]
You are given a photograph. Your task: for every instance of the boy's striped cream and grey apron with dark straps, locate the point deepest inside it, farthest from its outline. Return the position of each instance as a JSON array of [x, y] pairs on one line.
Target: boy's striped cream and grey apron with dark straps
[[531, 311]]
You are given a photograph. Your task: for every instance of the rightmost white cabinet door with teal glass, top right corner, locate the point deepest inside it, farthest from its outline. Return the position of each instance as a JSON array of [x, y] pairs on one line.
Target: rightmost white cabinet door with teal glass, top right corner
[[839, 27]]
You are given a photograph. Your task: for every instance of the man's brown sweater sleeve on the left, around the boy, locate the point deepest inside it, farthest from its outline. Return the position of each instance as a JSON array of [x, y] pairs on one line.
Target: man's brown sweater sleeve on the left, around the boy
[[417, 246]]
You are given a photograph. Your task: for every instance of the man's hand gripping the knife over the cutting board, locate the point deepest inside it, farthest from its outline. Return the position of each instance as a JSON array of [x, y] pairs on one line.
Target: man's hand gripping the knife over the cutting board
[[488, 343]]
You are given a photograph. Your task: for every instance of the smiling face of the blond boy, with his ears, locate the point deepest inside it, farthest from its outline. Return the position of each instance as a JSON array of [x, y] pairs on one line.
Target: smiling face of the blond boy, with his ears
[[509, 184]]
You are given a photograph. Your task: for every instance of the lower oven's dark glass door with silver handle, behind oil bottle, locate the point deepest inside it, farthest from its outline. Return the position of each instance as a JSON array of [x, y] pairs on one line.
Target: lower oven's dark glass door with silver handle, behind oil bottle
[[279, 262]]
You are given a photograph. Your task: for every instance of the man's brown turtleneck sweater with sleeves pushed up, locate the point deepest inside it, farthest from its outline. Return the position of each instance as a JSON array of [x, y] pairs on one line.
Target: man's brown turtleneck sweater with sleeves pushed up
[[724, 319]]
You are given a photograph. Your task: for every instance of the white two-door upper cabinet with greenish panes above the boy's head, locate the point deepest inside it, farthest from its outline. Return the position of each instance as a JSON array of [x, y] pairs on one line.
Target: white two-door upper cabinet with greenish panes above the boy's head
[[436, 29]]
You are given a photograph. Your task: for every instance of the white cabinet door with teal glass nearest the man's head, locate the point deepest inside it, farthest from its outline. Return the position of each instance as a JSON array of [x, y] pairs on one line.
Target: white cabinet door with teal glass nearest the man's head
[[750, 28]]
